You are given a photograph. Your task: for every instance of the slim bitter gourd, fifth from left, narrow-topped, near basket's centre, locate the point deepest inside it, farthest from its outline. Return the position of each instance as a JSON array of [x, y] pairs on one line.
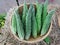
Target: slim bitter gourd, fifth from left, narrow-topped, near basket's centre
[[34, 23]]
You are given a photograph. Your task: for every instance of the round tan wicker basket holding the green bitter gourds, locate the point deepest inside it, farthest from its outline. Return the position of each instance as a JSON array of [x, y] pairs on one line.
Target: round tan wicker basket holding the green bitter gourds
[[31, 40]]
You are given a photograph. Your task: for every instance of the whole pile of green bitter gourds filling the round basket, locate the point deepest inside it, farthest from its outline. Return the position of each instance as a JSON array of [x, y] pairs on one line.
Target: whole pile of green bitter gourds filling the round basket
[[32, 22]]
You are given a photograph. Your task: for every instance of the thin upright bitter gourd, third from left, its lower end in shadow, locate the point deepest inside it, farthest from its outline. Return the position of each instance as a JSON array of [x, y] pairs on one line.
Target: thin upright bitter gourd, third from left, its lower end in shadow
[[25, 10]]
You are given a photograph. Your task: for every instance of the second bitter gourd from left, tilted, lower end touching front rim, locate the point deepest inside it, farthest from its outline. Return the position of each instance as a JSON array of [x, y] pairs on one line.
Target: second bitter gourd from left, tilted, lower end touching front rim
[[20, 30]]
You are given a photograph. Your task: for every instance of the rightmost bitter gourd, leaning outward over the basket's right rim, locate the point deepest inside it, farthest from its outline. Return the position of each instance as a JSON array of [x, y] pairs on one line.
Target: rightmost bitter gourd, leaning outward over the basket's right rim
[[47, 22]]
